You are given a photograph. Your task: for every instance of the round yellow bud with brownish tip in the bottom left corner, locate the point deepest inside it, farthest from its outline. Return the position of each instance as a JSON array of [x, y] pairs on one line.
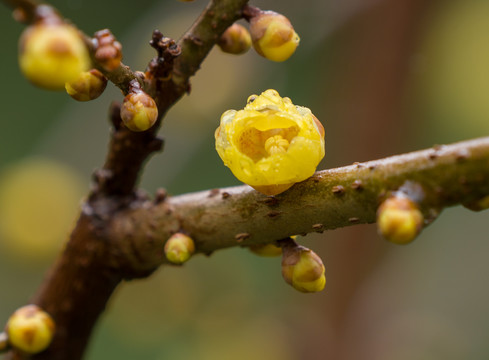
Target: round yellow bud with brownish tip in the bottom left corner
[[30, 329]]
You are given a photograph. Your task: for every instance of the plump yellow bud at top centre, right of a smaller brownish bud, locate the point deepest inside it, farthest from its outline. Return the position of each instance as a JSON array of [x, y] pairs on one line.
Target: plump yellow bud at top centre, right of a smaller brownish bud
[[273, 36]]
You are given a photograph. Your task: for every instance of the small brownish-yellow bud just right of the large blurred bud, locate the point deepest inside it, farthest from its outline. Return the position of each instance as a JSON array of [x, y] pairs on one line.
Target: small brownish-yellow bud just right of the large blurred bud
[[88, 86]]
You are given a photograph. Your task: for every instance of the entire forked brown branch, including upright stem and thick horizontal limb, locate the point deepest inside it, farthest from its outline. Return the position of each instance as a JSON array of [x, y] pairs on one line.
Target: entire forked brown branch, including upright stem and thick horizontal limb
[[120, 235]]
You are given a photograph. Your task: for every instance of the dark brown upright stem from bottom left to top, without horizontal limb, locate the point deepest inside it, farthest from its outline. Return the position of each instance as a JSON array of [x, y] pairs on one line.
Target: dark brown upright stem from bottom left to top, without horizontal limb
[[79, 285]]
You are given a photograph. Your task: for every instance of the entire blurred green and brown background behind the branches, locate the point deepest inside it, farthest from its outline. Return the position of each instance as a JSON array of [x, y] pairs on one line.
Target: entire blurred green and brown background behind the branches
[[384, 77]]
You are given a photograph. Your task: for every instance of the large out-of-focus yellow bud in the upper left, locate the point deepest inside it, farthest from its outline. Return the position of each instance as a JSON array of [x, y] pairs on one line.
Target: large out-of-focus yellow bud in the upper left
[[51, 55]]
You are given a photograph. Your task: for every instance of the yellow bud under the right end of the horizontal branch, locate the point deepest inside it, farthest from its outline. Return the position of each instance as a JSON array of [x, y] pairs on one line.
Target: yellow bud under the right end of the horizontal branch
[[399, 220]]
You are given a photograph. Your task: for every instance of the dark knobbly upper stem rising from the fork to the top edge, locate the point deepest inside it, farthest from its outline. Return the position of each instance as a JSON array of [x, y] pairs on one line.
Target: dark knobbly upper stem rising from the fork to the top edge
[[120, 176]]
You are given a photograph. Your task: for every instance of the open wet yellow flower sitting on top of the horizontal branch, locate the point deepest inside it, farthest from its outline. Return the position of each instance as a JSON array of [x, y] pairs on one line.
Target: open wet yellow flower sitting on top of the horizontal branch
[[271, 144]]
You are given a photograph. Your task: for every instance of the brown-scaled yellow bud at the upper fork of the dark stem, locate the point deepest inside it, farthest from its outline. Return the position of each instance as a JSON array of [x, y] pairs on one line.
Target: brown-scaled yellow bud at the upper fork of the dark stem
[[139, 111]]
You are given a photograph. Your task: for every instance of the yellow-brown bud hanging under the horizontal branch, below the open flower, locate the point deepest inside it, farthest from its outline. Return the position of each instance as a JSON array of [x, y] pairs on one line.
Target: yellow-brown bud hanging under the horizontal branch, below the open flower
[[303, 269]]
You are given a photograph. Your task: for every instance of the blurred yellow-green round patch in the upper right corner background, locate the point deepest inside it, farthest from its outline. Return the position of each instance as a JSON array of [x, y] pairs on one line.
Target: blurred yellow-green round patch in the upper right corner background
[[451, 72]]
